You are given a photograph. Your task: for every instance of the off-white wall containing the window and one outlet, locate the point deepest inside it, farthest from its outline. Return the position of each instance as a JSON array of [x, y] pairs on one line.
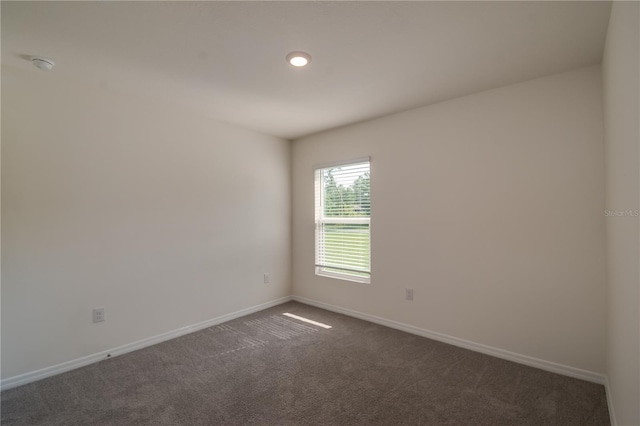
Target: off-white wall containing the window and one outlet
[[488, 206]]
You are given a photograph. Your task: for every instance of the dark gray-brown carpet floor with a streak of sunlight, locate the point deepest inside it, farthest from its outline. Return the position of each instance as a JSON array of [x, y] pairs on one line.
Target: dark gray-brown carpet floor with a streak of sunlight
[[268, 369]]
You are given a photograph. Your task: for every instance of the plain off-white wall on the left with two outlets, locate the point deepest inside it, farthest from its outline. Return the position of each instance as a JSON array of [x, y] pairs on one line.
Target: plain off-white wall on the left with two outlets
[[164, 218]]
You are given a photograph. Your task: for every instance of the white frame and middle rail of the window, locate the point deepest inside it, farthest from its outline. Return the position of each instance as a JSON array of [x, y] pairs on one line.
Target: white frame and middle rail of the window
[[321, 219]]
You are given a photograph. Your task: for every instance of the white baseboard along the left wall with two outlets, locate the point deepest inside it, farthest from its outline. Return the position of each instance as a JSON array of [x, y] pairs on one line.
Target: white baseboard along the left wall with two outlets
[[43, 373]]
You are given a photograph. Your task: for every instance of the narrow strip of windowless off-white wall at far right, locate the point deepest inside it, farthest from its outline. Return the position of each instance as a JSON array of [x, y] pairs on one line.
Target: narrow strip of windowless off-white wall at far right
[[622, 137]]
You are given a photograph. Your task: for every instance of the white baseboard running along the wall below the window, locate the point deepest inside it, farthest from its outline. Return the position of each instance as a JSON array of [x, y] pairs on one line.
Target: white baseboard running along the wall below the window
[[488, 350]]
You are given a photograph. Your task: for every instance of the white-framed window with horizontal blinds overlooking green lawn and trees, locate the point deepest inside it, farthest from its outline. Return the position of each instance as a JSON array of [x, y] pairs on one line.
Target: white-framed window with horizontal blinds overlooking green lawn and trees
[[343, 214]]
